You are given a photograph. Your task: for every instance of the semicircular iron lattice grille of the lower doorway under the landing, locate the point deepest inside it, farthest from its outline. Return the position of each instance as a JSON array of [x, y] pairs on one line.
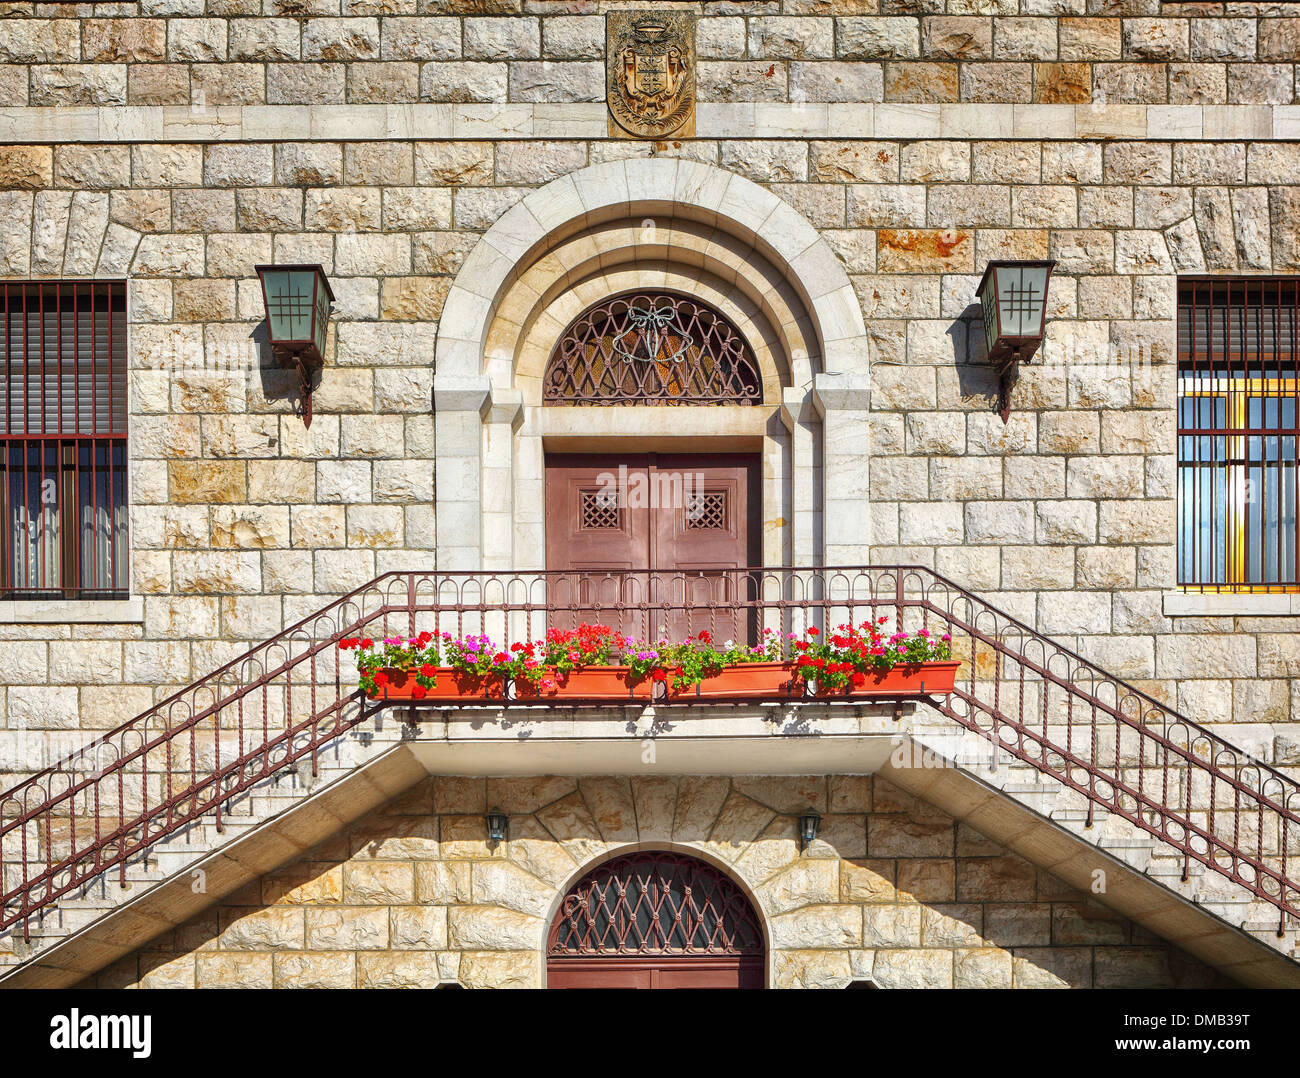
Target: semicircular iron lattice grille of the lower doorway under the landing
[[656, 904]]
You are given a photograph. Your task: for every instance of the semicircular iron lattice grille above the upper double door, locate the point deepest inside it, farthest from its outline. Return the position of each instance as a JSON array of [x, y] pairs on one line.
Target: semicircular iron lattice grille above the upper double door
[[652, 349]]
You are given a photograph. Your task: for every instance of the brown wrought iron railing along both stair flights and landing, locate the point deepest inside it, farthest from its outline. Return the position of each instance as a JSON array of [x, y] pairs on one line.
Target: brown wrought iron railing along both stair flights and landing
[[198, 752]]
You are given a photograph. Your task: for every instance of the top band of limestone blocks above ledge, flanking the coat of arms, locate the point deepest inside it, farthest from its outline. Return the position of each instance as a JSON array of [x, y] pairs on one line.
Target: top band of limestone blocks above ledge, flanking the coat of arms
[[235, 53]]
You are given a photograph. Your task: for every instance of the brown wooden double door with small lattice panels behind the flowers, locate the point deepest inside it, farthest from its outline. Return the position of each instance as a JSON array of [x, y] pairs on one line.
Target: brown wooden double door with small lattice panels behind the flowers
[[690, 518]]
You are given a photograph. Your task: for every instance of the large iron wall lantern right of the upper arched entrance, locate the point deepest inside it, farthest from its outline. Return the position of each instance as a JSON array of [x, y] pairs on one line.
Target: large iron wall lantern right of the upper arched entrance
[[1015, 300]]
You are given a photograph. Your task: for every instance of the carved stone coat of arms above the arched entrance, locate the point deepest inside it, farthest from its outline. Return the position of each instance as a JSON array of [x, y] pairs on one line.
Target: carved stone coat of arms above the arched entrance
[[651, 73]]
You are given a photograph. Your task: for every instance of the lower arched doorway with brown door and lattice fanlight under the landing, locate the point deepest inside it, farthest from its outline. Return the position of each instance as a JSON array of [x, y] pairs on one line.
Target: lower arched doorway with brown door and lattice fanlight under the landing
[[656, 920]]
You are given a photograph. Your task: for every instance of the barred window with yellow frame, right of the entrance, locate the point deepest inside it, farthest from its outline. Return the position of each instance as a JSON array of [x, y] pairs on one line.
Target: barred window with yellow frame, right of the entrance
[[1238, 432]]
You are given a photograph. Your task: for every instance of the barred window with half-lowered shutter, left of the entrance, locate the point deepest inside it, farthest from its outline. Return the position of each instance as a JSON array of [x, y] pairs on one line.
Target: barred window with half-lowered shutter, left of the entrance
[[63, 440]]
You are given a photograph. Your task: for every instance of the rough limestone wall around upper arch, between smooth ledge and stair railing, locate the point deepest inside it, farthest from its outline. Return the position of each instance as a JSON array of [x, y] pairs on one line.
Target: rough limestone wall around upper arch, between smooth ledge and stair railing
[[244, 521]]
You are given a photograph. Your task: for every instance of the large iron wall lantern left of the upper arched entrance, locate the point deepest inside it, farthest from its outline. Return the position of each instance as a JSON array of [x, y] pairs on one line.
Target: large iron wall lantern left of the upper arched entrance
[[298, 300]]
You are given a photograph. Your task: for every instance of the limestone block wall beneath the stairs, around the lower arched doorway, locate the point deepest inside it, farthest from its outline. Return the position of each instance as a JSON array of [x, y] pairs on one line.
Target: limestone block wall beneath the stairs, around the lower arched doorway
[[892, 891]]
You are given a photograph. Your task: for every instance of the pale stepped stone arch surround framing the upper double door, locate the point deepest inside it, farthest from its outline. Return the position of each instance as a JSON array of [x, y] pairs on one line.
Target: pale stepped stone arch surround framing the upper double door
[[674, 224]]
